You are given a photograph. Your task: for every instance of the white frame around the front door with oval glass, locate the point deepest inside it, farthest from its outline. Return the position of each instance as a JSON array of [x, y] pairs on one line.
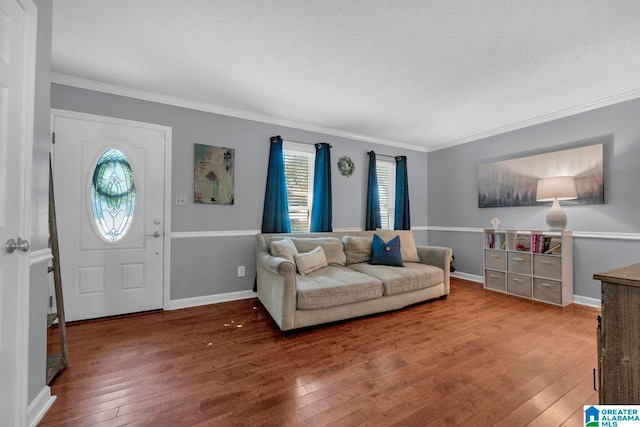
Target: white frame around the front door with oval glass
[[166, 288]]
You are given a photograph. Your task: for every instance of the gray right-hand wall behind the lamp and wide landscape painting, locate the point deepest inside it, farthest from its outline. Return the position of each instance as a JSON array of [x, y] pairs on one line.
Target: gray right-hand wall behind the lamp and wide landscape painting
[[453, 191]]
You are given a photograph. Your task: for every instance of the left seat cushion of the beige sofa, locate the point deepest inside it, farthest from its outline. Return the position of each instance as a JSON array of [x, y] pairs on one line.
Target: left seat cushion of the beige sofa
[[334, 286]]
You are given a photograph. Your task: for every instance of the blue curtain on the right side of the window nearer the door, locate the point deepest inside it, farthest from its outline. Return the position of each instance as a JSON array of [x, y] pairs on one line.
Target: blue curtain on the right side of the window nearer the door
[[321, 208]]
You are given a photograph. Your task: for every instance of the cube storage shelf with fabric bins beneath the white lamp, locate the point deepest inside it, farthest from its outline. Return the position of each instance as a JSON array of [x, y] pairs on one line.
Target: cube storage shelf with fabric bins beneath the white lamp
[[533, 264]]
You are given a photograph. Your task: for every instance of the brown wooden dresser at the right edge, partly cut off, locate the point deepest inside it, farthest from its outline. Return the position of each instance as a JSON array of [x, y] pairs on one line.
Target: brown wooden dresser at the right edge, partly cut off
[[619, 336]]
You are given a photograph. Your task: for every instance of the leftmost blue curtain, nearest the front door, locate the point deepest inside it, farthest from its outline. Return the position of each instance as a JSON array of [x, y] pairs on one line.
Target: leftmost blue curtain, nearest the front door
[[275, 215]]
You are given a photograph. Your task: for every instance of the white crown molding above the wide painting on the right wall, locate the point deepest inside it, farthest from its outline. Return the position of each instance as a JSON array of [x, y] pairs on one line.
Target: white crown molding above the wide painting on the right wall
[[589, 106]]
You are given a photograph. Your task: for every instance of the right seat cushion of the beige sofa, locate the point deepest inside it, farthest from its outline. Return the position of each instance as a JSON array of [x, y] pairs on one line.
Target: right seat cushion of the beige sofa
[[412, 277]]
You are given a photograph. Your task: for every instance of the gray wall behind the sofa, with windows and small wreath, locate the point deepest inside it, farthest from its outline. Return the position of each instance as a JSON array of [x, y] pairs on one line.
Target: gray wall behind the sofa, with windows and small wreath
[[205, 266]]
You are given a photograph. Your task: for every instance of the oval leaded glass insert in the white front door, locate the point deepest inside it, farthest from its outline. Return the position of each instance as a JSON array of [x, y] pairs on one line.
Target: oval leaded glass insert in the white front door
[[113, 195]]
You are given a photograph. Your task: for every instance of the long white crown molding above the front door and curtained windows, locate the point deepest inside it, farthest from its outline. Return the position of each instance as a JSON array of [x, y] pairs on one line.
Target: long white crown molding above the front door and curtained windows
[[67, 80]]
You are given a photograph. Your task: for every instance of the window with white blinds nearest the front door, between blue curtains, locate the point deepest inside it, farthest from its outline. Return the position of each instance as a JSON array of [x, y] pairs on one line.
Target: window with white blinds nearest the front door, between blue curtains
[[299, 162]]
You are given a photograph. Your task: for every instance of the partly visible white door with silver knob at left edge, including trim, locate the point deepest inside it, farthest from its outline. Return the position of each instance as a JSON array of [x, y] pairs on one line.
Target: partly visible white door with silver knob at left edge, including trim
[[17, 71]]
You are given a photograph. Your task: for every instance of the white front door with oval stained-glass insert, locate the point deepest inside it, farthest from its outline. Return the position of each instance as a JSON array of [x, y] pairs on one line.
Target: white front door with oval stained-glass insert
[[109, 183]]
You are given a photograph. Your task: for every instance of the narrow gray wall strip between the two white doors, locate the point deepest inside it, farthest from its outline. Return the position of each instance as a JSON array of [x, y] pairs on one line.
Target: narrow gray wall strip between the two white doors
[[39, 280]]
